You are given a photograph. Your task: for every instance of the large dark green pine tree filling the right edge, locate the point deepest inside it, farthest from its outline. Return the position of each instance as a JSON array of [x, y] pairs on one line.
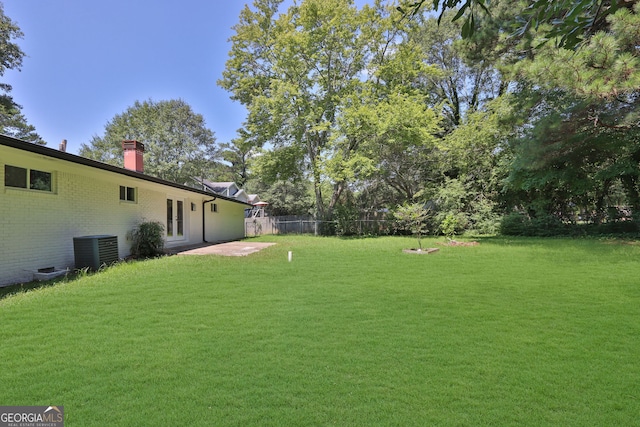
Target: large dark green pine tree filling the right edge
[[575, 110]]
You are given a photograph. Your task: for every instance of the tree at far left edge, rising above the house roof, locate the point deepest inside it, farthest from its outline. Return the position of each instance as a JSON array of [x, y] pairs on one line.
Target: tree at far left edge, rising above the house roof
[[12, 121]]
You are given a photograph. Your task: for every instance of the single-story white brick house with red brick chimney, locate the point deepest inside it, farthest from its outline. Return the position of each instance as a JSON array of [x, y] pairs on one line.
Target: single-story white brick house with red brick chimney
[[49, 197]]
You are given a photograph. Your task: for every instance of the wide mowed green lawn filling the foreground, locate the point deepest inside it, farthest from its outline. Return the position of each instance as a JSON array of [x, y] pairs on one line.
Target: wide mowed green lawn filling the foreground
[[352, 332]]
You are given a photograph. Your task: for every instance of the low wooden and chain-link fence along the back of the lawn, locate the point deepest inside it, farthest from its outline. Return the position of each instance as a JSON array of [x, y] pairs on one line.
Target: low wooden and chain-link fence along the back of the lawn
[[309, 225]]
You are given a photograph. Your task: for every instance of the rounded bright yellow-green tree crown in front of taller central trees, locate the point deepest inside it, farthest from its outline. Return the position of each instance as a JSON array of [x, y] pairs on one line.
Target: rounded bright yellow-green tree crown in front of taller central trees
[[388, 144]]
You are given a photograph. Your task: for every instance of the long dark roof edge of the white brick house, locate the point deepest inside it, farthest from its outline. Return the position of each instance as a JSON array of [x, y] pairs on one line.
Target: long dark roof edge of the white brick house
[[50, 152]]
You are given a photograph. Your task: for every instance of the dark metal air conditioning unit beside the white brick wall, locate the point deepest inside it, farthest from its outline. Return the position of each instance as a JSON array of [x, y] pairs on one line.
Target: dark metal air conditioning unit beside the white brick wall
[[95, 251]]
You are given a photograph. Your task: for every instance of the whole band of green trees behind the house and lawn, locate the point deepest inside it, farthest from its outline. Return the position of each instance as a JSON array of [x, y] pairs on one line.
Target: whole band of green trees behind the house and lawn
[[513, 115]]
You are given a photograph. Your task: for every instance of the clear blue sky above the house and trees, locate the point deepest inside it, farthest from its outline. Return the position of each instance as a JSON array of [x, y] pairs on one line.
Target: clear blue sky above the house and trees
[[88, 60]]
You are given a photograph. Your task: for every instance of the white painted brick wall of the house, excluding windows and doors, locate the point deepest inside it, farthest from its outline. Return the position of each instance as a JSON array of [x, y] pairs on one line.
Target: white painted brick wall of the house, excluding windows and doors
[[37, 228]]
